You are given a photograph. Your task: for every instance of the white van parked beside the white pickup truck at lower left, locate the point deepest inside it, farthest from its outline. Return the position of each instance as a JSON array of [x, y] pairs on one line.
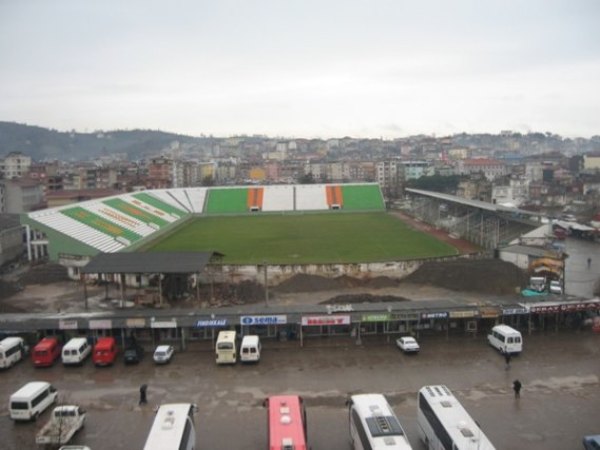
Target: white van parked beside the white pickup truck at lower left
[[31, 400]]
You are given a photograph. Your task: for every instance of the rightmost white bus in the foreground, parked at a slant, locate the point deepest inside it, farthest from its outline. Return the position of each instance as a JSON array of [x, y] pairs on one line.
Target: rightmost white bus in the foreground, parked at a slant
[[444, 424]]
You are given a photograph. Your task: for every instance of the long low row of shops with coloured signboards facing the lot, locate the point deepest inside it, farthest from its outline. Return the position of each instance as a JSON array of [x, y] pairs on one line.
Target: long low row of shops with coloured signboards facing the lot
[[353, 320]]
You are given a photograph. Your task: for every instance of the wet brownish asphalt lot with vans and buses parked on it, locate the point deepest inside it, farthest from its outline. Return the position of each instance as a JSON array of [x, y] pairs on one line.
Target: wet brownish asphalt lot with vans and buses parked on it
[[560, 399]]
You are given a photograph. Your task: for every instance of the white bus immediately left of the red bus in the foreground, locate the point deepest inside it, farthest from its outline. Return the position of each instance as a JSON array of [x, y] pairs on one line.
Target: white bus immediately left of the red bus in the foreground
[[173, 428]]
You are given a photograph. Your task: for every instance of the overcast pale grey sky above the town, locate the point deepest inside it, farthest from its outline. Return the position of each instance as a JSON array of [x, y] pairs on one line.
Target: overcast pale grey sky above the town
[[302, 68]]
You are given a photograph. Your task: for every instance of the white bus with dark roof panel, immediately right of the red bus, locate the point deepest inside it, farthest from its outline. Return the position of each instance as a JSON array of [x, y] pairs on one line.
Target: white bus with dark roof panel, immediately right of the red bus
[[373, 424]]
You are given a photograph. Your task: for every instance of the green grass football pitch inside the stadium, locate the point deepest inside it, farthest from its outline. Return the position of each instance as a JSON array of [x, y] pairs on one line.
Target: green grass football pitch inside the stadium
[[304, 239]]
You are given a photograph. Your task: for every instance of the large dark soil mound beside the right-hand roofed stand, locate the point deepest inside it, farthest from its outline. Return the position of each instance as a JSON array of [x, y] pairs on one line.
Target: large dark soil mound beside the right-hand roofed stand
[[488, 276]]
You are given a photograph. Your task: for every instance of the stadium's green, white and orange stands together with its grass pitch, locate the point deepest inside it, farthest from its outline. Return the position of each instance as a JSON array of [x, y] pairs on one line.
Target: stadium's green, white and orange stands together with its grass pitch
[[278, 224]]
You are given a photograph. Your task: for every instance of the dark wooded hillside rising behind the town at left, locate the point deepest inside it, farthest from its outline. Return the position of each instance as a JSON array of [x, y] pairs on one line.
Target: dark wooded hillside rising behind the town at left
[[46, 144]]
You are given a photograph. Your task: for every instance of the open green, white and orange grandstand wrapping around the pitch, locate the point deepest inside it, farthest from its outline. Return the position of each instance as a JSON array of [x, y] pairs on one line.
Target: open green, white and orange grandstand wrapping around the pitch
[[127, 221]]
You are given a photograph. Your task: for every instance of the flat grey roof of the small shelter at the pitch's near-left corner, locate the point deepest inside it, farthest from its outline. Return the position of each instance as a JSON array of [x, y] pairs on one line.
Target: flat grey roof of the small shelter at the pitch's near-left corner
[[151, 262]]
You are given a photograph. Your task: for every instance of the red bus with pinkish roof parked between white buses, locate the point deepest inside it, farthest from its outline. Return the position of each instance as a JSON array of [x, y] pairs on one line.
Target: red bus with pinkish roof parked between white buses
[[286, 422]]
